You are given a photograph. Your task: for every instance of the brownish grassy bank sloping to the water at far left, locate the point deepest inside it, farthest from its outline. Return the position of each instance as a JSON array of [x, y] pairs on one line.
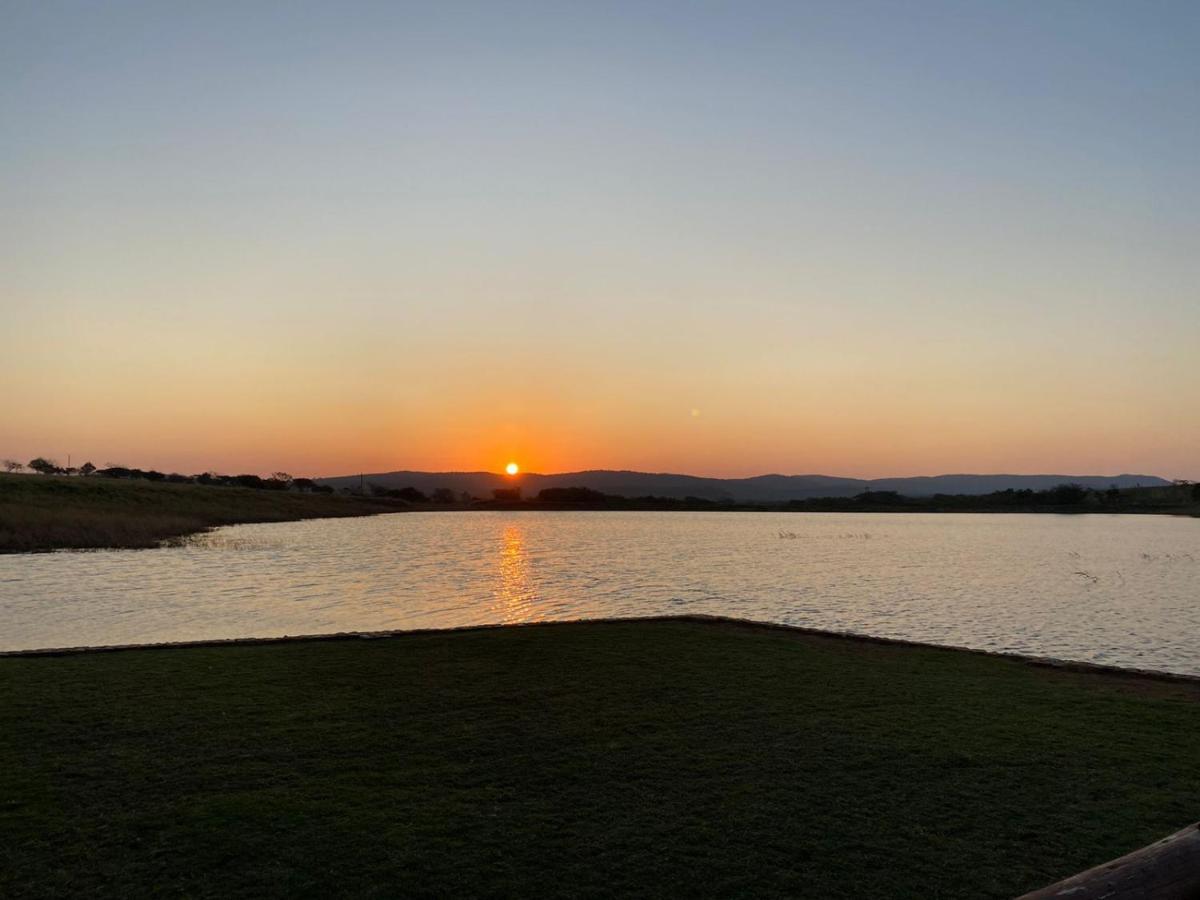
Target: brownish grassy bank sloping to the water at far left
[[53, 513]]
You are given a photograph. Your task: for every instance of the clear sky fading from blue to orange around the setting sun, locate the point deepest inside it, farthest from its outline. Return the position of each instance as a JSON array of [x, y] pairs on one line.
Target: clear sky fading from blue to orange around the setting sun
[[727, 239]]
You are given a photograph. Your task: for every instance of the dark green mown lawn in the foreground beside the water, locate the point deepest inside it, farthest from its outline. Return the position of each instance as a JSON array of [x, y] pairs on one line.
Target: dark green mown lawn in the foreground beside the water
[[669, 758]]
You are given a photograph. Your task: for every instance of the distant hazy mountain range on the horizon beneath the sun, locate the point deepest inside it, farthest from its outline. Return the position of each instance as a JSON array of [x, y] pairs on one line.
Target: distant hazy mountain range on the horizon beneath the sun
[[760, 489]]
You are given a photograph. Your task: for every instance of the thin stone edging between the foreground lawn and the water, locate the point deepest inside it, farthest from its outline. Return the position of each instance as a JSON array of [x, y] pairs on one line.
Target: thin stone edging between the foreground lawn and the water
[[1064, 665]]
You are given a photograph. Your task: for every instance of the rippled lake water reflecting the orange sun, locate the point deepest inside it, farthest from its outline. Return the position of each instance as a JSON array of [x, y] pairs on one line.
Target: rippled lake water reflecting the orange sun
[[1114, 590]]
